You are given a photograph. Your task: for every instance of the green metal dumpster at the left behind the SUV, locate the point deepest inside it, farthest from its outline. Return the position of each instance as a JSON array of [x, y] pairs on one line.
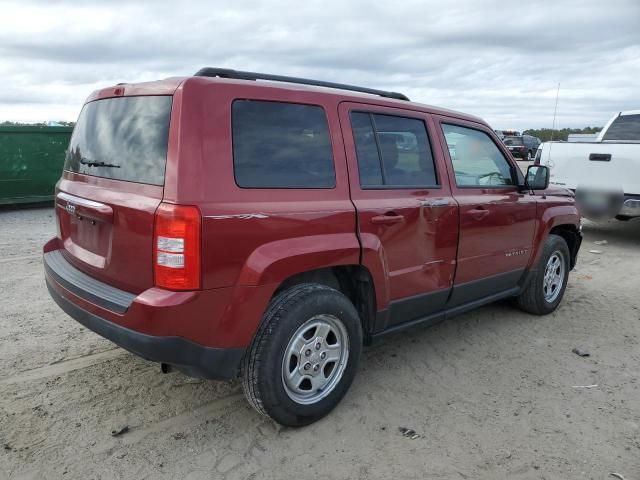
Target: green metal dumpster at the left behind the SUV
[[31, 160]]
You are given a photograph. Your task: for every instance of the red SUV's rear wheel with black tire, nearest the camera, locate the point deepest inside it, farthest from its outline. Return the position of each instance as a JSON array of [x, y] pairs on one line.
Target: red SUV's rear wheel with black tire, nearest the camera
[[304, 356]]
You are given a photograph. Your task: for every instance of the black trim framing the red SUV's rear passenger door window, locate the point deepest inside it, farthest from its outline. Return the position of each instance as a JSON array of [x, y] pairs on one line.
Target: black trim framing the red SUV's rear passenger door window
[[370, 114]]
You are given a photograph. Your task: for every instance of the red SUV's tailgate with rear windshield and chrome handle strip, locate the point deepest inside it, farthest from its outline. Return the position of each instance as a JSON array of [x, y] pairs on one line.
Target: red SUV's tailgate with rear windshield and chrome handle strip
[[111, 186]]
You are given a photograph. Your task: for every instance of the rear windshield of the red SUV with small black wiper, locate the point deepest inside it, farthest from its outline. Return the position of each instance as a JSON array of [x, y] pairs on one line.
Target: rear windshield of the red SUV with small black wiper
[[122, 138]]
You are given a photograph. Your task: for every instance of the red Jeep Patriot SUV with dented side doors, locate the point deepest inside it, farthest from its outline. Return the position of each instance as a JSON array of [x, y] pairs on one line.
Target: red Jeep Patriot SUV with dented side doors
[[237, 224]]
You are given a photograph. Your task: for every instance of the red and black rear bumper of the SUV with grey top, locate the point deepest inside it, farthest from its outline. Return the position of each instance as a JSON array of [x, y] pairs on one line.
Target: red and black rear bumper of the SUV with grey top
[[156, 324]]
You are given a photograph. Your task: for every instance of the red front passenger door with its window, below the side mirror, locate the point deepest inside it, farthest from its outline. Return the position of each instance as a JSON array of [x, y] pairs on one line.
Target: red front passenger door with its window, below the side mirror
[[497, 222]]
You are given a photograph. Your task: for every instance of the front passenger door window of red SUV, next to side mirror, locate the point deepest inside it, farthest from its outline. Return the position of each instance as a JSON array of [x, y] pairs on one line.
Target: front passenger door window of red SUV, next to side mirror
[[477, 161]]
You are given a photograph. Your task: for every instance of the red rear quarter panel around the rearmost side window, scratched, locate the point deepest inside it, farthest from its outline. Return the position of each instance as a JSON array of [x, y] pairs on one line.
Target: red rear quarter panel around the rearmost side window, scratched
[[257, 236]]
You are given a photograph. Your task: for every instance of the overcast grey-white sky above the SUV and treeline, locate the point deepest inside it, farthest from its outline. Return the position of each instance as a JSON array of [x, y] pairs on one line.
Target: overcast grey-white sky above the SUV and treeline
[[481, 57]]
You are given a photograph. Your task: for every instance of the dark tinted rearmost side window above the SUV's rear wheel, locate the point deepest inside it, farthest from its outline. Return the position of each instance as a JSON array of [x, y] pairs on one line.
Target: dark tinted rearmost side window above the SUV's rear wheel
[[281, 145]]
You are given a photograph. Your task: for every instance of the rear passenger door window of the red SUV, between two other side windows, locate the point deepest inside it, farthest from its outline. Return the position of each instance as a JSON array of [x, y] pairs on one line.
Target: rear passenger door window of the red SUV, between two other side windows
[[392, 151]]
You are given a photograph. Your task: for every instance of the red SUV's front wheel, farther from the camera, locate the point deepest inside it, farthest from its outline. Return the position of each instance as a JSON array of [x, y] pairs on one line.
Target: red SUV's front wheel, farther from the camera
[[548, 282]]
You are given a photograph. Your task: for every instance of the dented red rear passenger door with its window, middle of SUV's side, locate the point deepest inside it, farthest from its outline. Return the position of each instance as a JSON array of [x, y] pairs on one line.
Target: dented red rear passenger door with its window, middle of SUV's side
[[403, 201]]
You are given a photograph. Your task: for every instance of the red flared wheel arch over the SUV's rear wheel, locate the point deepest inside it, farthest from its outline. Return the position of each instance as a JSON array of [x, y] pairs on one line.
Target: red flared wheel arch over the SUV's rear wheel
[[276, 261]]
